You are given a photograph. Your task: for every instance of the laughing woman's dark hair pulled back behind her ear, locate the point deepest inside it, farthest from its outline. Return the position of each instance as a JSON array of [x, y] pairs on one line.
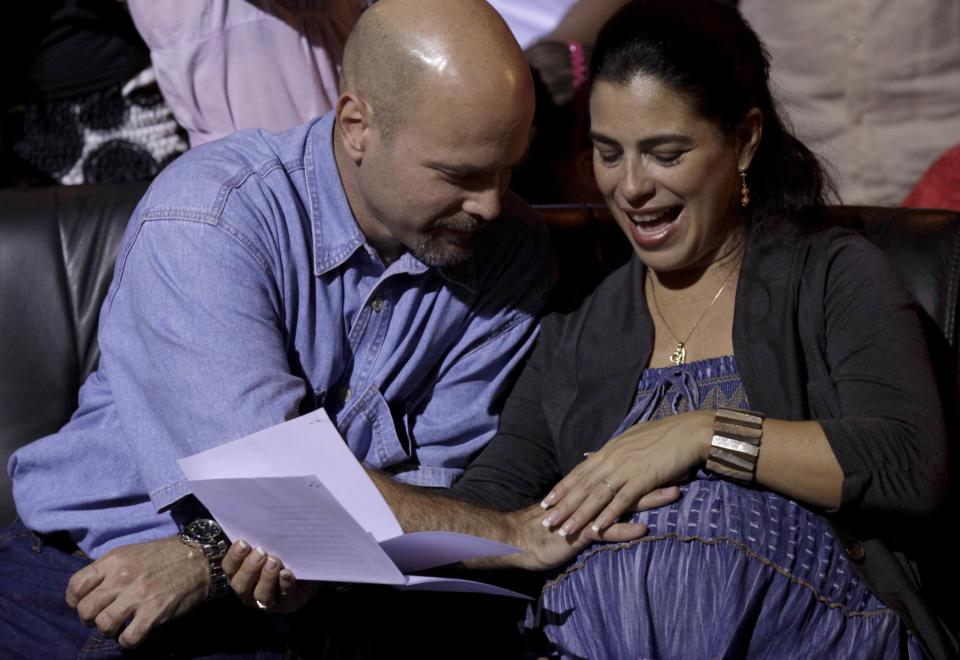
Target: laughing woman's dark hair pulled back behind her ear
[[706, 51]]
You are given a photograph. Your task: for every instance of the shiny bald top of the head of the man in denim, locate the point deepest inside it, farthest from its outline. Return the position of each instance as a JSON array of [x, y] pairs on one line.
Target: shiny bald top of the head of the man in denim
[[402, 52]]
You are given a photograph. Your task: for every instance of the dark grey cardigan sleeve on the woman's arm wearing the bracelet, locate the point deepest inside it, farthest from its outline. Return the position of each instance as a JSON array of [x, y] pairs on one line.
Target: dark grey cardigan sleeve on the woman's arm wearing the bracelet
[[889, 435]]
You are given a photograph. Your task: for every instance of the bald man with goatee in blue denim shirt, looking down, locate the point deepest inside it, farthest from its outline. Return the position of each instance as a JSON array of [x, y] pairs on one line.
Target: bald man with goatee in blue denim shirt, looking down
[[364, 263]]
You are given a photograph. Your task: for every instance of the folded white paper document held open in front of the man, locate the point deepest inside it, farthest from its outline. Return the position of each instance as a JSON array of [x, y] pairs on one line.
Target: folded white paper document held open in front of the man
[[298, 492]]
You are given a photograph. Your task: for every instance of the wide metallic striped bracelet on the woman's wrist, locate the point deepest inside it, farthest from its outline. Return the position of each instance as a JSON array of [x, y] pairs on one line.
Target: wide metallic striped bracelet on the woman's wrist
[[736, 443]]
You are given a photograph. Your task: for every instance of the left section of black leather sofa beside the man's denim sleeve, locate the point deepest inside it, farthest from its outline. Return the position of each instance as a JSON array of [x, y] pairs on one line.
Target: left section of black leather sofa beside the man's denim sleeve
[[57, 248]]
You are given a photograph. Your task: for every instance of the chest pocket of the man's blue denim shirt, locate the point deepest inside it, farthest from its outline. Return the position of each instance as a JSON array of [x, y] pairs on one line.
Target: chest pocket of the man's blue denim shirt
[[371, 432]]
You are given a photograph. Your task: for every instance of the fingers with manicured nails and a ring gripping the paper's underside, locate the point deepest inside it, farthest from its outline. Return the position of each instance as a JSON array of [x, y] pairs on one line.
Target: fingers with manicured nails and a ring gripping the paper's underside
[[260, 580]]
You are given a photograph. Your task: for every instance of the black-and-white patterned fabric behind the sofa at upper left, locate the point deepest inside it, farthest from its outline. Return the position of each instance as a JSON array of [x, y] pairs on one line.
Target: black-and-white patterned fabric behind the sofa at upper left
[[121, 133]]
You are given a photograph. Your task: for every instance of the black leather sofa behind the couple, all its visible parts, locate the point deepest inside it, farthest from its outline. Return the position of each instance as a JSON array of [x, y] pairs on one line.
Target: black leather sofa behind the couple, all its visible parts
[[58, 245]]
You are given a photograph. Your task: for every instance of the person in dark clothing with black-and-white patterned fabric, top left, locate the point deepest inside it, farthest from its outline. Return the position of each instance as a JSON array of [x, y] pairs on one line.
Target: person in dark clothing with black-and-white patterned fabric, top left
[[81, 104]]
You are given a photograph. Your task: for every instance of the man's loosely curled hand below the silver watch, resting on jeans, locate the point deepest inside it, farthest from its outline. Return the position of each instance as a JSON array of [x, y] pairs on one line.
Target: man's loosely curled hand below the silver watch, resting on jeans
[[142, 585]]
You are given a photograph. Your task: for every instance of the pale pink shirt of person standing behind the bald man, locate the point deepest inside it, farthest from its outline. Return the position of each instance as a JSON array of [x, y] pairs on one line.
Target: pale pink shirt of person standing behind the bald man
[[225, 65]]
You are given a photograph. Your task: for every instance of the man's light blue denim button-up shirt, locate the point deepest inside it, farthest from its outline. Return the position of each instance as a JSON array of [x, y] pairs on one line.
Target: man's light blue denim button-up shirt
[[245, 294]]
